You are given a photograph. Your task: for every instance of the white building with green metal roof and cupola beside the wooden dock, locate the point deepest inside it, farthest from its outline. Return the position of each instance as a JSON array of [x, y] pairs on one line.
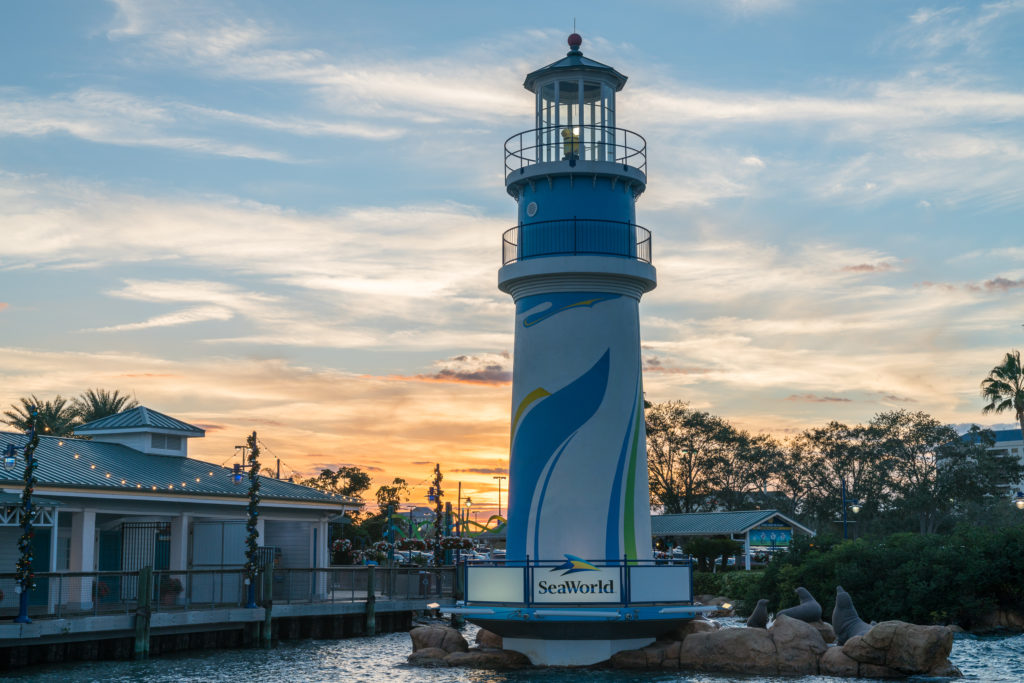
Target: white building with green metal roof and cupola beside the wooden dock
[[123, 494]]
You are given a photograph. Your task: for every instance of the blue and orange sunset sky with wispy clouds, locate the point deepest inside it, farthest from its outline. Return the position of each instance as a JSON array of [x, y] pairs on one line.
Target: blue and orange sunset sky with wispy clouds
[[287, 217]]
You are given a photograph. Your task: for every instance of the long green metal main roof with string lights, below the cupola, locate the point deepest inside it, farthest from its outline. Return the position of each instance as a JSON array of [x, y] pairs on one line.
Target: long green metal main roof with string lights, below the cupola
[[104, 466]]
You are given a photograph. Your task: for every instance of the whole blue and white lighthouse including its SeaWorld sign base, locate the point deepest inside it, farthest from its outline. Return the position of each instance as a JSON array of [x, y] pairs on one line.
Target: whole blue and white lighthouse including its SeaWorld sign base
[[579, 582]]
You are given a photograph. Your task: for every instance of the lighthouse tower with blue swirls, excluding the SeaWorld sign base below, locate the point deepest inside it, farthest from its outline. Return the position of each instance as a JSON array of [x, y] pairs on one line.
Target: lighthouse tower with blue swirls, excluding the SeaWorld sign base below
[[576, 266]]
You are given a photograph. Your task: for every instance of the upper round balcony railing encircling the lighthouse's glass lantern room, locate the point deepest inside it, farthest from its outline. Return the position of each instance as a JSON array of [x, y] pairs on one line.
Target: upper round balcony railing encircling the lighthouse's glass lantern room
[[587, 143]]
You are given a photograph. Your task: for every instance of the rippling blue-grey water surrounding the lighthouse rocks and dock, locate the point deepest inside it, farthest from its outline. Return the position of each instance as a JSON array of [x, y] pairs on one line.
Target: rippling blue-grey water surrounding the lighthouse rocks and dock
[[993, 660]]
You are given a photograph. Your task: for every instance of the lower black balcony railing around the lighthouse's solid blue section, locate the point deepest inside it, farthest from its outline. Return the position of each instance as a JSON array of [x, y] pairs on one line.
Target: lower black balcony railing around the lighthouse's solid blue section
[[576, 236]]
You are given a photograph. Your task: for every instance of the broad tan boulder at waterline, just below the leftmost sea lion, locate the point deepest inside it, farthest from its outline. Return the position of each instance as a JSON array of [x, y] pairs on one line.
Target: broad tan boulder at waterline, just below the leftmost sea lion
[[731, 652]]
